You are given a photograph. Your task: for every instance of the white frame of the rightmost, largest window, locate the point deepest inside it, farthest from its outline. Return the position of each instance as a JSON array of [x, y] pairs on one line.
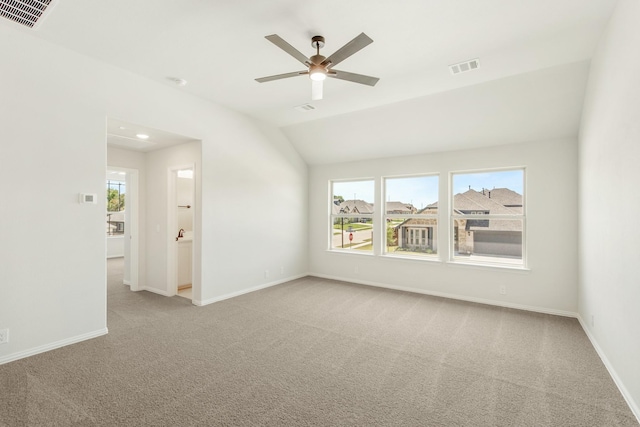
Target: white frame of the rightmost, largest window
[[484, 216]]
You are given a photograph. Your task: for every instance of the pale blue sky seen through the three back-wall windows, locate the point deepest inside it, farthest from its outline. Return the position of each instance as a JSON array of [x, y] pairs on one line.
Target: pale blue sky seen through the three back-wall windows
[[421, 191]]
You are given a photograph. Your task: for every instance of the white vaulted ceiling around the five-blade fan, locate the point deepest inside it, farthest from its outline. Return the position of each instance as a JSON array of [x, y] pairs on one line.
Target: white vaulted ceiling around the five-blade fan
[[532, 55]]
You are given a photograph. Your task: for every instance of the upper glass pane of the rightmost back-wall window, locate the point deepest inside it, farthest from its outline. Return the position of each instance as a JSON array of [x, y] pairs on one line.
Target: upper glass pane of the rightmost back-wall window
[[489, 193]]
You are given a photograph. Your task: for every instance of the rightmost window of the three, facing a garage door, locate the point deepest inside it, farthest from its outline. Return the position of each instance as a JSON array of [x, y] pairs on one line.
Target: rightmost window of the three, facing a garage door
[[488, 217]]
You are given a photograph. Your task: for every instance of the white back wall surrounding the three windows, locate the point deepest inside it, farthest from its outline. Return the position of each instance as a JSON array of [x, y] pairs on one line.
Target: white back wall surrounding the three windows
[[551, 203]]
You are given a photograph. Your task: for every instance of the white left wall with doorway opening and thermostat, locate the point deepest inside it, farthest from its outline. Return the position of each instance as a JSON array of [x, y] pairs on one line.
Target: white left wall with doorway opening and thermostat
[[52, 131]]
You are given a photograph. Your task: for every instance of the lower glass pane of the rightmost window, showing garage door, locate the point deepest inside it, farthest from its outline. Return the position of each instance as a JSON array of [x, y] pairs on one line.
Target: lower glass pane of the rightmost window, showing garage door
[[488, 240]]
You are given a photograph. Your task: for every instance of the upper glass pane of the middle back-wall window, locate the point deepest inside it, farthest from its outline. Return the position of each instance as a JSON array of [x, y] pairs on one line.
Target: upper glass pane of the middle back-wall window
[[411, 195]]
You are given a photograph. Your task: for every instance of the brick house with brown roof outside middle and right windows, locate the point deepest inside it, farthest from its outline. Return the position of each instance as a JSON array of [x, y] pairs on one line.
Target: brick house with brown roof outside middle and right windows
[[471, 236]]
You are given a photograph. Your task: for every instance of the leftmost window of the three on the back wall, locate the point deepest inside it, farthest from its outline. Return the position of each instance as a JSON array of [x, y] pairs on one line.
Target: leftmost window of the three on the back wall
[[352, 216]]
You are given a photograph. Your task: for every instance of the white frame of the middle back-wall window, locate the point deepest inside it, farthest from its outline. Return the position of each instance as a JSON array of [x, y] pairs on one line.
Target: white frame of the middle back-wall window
[[386, 218]]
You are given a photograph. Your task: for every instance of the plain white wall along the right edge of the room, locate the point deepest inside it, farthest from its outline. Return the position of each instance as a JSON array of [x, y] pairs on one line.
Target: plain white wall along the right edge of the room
[[609, 204]]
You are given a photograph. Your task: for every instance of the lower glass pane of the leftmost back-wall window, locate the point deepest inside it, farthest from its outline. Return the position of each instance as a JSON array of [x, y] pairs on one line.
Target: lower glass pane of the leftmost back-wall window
[[352, 233]]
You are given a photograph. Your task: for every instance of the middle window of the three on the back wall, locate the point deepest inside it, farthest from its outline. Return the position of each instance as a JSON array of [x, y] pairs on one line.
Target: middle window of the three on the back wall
[[411, 215]]
